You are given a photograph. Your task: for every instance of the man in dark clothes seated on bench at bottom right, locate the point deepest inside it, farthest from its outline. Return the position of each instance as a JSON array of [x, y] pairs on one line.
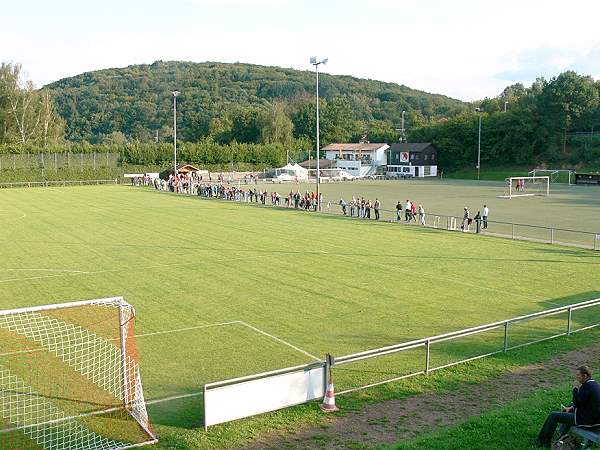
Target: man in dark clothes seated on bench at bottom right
[[585, 410]]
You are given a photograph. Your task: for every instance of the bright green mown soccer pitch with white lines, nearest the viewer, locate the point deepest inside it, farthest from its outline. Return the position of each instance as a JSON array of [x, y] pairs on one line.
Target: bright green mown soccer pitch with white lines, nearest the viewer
[[224, 289]]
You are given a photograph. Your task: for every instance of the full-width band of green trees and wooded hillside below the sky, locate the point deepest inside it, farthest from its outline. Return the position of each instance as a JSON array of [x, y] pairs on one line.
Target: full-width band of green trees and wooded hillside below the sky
[[237, 114]]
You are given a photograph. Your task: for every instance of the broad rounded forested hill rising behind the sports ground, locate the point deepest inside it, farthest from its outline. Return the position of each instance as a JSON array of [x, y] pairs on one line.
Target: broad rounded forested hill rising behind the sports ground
[[241, 102]]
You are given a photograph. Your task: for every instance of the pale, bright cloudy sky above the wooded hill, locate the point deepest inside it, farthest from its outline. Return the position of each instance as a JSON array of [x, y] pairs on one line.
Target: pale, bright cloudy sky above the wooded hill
[[464, 49]]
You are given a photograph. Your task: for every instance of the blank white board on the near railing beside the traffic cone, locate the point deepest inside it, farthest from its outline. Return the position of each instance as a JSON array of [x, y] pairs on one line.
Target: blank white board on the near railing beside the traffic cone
[[248, 398]]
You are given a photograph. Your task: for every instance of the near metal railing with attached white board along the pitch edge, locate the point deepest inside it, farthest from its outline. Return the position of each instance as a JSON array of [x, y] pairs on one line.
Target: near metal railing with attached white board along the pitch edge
[[508, 337]]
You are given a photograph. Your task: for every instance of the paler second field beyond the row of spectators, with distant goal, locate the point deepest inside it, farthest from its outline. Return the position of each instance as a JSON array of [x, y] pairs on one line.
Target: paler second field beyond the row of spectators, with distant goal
[[569, 207]]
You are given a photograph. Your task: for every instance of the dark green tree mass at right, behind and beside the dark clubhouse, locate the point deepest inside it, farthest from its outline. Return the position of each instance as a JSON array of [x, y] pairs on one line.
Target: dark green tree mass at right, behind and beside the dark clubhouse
[[551, 122]]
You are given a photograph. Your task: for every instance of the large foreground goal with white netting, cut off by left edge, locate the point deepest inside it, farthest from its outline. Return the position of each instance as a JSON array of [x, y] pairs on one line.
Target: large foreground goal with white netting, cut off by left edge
[[70, 379]]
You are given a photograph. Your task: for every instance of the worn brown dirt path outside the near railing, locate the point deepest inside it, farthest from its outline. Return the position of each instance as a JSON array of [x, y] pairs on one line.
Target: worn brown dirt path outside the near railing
[[396, 420]]
